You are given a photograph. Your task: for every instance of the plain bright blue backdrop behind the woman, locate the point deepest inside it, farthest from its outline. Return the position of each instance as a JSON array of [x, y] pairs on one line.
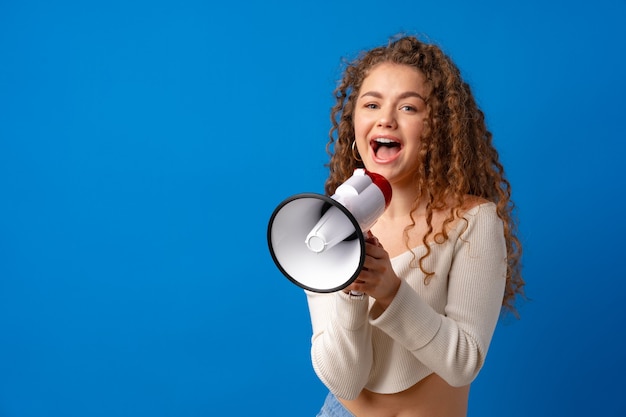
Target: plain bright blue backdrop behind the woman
[[144, 145]]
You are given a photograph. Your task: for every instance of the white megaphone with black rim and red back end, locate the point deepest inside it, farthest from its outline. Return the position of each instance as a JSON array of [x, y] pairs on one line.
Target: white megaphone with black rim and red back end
[[317, 241]]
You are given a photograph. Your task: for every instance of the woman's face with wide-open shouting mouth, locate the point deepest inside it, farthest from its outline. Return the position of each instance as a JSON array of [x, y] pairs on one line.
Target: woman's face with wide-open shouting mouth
[[389, 119]]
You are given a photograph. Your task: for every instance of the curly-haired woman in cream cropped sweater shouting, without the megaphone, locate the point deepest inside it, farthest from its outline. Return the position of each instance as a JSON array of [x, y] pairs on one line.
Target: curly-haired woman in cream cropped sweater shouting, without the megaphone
[[443, 259]]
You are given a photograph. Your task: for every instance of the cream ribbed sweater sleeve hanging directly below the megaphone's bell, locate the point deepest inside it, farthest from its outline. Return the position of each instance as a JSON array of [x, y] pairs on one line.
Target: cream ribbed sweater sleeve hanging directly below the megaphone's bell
[[341, 350]]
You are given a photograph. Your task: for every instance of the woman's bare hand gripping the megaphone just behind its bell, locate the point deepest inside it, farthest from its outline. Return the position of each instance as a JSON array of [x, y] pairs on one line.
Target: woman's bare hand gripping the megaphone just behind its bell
[[377, 278]]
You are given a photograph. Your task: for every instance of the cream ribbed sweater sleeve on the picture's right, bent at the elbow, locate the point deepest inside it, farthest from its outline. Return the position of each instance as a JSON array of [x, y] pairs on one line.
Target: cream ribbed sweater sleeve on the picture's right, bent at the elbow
[[454, 344]]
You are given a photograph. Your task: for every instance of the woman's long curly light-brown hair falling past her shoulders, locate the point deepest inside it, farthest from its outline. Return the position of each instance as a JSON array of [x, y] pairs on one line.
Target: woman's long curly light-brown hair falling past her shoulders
[[457, 157]]
